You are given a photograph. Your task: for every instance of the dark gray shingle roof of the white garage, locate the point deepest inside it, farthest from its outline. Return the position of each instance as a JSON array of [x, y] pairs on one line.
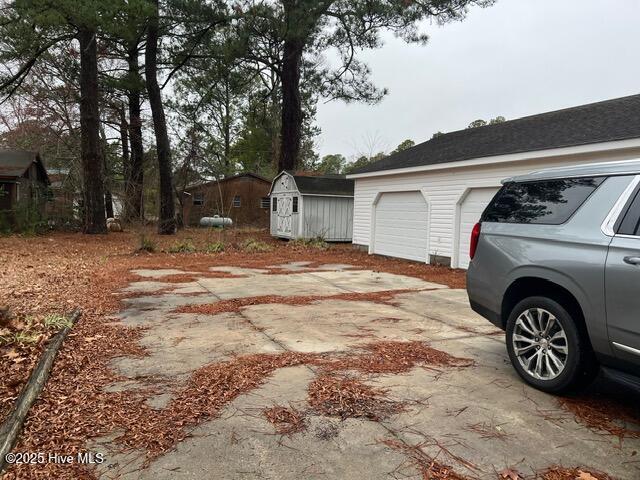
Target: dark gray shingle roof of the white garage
[[617, 119]]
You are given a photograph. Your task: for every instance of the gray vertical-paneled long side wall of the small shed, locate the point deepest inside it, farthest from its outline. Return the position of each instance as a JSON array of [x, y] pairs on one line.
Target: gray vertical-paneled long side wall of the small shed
[[328, 217]]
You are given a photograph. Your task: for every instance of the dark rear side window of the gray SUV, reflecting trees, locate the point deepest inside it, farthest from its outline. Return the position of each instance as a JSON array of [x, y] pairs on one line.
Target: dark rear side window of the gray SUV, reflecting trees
[[549, 202]]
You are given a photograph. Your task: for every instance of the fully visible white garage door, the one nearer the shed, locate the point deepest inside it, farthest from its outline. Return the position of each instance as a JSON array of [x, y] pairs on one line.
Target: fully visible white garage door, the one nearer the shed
[[401, 226]]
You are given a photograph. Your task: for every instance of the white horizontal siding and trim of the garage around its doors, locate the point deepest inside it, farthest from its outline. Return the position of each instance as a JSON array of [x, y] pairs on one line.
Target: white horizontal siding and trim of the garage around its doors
[[444, 189]]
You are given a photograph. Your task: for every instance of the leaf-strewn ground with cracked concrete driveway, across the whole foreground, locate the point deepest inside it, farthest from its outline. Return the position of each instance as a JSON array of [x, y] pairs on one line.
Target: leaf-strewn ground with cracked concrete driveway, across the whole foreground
[[281, 360]]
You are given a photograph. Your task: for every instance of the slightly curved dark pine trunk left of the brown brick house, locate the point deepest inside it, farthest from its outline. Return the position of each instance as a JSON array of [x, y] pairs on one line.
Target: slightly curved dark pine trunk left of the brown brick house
[[166, 220]]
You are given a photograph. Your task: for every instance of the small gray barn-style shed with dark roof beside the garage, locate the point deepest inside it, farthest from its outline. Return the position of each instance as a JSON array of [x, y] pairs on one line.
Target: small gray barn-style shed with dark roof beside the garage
[[312, 207]]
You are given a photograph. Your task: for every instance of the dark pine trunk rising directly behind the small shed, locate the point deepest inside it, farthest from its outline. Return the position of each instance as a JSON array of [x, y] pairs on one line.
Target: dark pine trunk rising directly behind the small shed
[[291, 128]]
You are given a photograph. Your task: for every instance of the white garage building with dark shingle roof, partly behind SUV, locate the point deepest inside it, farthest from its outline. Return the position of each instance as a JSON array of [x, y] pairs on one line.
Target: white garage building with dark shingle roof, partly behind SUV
[[421, 203]]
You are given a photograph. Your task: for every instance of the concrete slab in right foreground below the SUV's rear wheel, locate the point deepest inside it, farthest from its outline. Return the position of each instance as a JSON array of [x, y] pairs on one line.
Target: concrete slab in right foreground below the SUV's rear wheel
[[488, 417]]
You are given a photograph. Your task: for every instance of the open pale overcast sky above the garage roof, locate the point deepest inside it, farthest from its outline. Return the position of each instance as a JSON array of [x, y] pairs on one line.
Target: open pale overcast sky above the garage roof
[[517, 58]]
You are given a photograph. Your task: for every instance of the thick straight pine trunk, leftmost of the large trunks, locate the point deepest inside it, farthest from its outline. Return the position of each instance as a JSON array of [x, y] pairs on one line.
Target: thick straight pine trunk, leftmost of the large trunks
[[92, 171]]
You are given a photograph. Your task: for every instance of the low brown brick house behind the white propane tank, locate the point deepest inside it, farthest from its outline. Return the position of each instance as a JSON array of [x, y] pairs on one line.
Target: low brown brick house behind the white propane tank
[[244, 198]]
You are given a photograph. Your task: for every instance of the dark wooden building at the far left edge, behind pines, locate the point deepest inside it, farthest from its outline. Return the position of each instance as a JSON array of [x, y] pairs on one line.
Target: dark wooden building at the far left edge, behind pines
[[24, 182]]
